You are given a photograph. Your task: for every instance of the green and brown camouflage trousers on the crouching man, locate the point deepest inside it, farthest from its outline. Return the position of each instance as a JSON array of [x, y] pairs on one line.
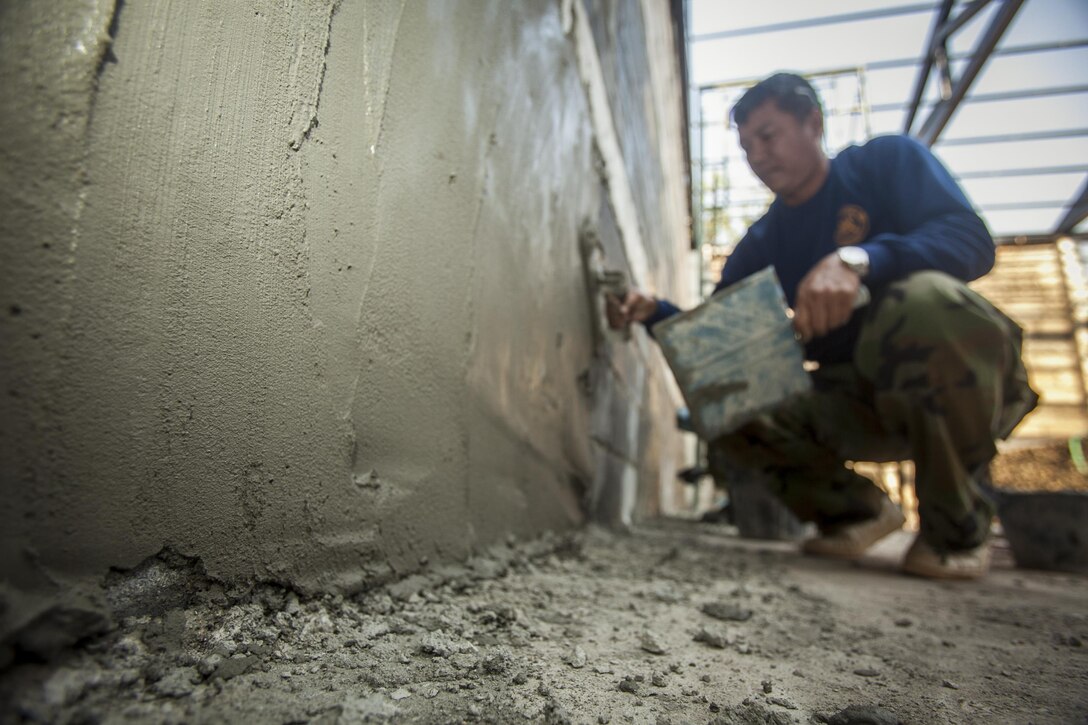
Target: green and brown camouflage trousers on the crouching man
[[936, 378]]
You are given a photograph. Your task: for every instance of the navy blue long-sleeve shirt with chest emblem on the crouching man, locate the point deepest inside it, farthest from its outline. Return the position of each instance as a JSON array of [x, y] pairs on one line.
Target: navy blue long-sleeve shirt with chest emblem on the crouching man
[[892, 198]]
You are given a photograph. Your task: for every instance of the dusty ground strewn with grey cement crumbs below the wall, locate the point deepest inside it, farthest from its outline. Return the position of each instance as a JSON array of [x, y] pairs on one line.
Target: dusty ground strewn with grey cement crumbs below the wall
[[675, 623]]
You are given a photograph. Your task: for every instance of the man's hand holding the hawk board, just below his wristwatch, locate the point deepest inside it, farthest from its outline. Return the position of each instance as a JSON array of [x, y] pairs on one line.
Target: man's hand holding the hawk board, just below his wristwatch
[[825, 299]]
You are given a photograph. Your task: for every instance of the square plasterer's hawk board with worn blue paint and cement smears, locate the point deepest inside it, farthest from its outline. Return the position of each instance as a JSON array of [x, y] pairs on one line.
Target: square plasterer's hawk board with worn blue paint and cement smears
[[735, 355]]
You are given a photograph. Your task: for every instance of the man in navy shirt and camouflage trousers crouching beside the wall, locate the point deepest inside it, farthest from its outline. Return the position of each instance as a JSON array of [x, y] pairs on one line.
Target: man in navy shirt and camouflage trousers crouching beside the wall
[[929, 372]]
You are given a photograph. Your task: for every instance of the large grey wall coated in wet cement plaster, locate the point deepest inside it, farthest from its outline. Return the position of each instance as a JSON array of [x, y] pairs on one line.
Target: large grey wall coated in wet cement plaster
[[301, 289]]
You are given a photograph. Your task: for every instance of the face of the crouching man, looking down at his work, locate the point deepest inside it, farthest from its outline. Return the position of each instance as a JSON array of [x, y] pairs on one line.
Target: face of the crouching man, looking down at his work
[[785, 153]]
